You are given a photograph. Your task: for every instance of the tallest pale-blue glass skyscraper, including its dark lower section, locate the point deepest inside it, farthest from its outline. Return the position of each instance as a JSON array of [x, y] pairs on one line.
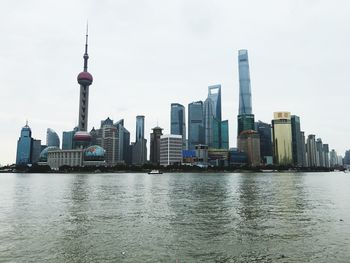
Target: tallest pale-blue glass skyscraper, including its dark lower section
[[245, 116]]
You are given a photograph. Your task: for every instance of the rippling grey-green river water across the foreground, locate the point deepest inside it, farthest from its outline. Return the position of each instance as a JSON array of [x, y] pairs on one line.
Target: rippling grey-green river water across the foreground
[[129, 217]]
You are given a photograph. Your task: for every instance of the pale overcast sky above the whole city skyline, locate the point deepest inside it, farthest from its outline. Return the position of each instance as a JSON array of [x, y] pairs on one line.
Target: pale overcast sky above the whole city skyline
[[145, 55]]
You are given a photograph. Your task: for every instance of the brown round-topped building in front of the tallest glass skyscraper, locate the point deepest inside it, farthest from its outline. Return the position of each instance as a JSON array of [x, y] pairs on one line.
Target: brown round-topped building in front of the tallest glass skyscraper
[[249, 143]]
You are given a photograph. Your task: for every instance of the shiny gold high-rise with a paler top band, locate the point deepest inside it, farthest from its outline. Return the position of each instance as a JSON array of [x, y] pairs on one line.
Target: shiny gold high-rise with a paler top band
[[282, 138]]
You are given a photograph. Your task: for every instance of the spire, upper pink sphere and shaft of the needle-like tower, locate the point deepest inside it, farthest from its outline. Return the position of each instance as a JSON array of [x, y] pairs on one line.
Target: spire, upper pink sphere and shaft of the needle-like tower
[[85, 80]]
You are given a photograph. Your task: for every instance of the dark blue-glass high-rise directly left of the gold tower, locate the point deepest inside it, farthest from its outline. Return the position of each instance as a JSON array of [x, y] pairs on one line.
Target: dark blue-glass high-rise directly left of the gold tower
[[266, 151]]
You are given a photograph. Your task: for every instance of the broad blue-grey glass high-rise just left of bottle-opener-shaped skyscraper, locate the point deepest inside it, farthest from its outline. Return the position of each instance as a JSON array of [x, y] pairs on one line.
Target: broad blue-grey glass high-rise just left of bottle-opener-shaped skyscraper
[[195, 124]]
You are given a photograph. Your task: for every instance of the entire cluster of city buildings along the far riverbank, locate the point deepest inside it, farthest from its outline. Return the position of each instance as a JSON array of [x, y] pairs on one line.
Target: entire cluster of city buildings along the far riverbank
[[203, 141]]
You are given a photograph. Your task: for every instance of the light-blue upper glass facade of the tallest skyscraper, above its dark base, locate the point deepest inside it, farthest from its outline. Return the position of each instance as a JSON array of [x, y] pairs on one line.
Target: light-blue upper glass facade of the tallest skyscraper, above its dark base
[[245, 97]]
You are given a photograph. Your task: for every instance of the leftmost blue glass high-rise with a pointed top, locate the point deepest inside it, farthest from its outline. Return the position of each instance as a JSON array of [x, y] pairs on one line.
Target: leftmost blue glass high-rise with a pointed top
[[24, 146]]
